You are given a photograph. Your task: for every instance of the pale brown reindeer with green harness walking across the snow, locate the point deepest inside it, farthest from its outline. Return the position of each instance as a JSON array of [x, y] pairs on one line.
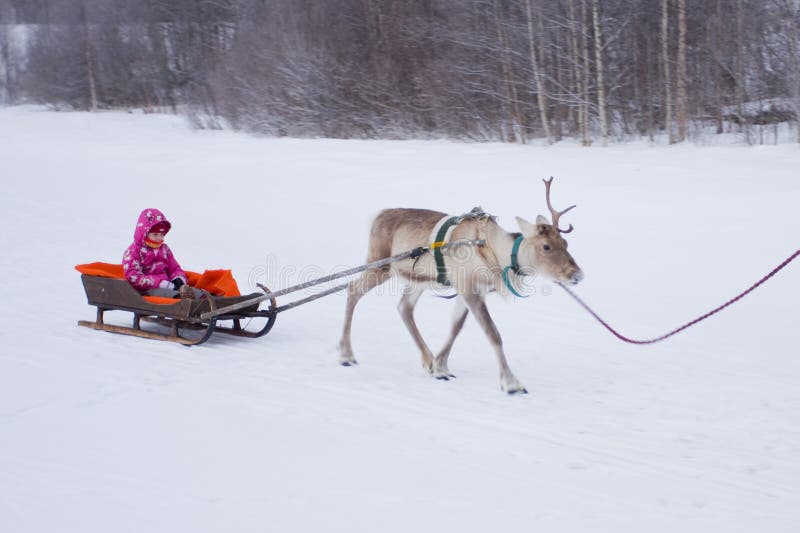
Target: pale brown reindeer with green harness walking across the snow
[[496, 259]]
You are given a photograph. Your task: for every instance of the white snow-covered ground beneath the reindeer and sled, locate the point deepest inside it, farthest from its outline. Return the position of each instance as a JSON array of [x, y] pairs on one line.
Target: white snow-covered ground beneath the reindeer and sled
[[101, 432]]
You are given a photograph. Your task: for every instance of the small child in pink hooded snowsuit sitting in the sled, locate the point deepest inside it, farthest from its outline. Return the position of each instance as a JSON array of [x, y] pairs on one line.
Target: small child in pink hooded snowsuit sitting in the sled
[[149, 264]]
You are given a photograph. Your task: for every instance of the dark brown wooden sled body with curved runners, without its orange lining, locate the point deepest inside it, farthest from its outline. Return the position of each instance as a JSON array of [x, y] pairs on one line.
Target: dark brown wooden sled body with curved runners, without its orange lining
[[182, 318]]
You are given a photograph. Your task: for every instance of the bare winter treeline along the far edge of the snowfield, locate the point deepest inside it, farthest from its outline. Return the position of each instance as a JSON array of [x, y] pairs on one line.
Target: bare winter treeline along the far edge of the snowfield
[[511, 70]]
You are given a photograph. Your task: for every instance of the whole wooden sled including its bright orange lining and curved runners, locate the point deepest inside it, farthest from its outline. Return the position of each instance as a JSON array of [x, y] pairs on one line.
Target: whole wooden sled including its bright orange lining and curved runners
[[185, 321]]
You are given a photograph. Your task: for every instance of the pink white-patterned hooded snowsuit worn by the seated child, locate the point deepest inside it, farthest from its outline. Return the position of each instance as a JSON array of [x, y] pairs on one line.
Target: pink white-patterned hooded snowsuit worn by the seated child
[[150, 268]]
